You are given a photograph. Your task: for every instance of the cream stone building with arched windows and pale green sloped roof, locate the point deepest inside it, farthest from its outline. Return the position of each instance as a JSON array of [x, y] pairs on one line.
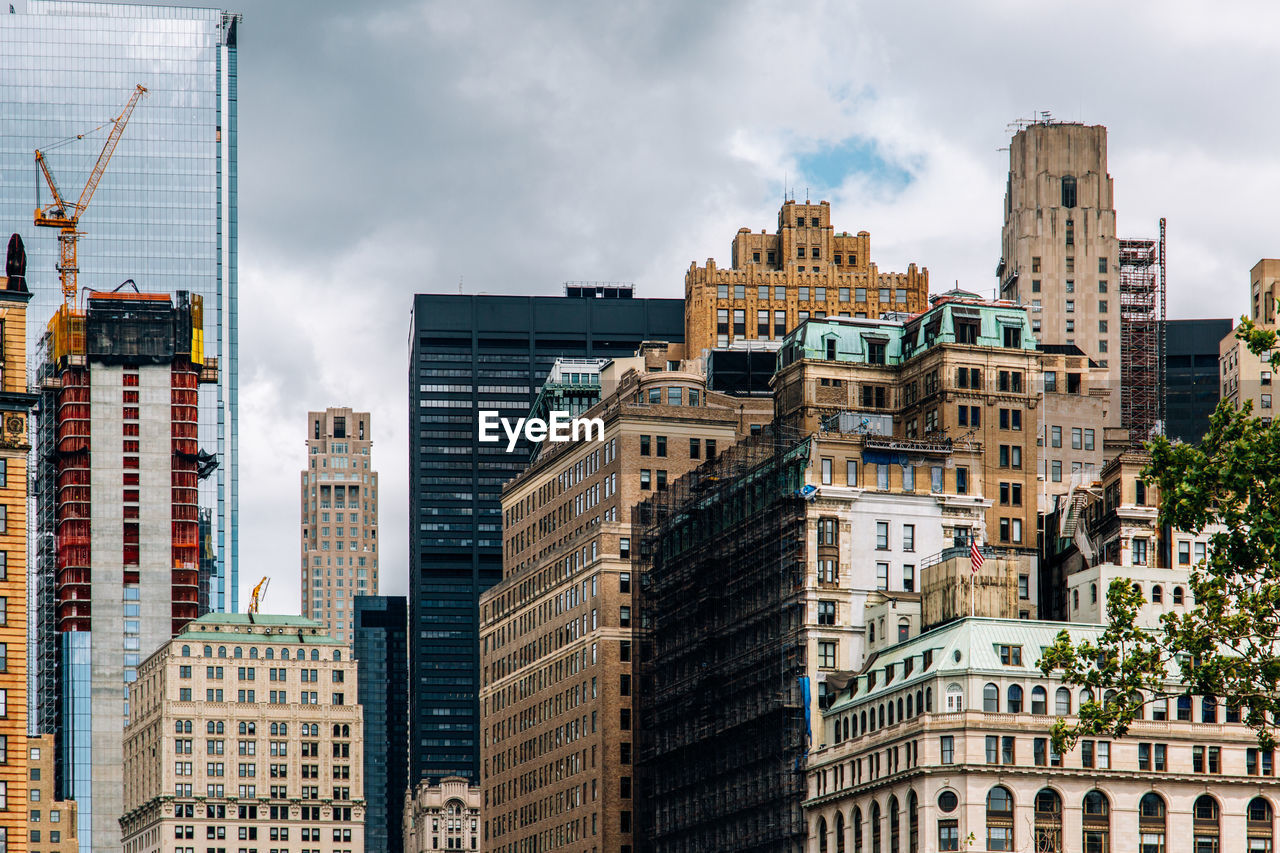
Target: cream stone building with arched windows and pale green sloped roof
[[947, 738]]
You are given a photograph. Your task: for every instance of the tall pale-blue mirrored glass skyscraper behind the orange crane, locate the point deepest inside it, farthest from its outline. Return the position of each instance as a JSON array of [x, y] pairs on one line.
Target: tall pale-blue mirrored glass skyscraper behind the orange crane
[[164, 215]]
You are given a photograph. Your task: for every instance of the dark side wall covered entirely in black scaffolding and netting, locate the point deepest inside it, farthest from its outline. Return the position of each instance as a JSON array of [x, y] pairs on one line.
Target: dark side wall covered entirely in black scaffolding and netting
[[724, 692]]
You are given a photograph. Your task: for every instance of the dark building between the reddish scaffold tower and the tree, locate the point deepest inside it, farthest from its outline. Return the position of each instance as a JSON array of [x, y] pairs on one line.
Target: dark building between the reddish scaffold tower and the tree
[[1192, 384]]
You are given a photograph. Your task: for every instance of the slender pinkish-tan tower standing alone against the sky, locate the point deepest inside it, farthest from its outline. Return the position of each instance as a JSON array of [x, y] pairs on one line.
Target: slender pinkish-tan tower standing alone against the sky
[[340, 519]]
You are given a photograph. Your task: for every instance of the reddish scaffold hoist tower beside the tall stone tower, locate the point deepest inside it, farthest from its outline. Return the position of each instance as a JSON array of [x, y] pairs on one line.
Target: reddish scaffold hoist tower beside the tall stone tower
[[1142, 337]]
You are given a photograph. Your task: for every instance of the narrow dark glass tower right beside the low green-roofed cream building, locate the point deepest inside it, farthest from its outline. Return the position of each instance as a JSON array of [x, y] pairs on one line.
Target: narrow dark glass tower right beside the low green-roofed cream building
[[382, 667]]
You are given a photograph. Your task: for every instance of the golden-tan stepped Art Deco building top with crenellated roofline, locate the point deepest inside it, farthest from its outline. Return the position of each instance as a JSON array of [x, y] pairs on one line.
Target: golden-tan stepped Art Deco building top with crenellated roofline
[[776, 281]]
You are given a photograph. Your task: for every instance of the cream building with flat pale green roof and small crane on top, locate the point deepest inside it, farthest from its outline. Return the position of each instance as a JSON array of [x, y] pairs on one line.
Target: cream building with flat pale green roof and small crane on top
[[245, 736]]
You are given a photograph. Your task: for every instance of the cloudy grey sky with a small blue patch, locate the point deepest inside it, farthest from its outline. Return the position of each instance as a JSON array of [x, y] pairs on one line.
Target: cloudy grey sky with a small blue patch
[[397, 148]]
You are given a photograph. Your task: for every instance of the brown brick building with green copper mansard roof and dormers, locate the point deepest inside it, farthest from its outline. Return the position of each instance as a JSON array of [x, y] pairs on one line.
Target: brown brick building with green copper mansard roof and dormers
[[963, 371]]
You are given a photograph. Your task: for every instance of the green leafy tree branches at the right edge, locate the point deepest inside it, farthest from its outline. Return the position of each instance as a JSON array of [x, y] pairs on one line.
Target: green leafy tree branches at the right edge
[[1228, 647]]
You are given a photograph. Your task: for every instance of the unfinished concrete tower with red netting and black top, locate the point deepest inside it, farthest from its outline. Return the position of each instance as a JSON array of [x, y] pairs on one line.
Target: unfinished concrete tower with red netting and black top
[[120, 559]]
